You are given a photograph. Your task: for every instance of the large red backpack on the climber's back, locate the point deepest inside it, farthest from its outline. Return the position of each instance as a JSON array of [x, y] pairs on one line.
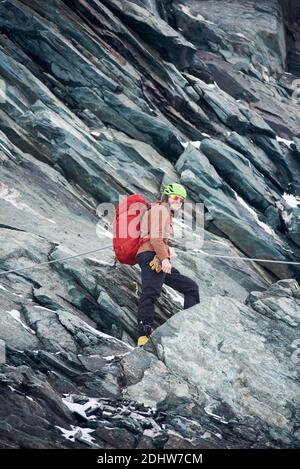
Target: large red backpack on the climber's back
[[126, 228]]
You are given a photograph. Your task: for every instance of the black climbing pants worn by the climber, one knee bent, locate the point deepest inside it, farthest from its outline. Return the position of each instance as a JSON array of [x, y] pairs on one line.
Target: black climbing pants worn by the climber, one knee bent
[[152, 283]]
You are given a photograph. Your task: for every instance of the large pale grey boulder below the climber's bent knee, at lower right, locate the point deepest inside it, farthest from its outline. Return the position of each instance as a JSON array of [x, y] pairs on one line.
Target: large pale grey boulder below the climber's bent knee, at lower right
[[246, 377]]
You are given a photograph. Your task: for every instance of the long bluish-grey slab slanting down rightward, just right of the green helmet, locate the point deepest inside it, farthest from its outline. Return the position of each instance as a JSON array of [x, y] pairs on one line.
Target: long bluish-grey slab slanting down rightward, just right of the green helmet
[[229, 212]]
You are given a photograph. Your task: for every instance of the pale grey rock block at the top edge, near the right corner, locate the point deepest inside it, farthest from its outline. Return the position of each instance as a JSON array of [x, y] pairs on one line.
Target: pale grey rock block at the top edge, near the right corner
[[248, 29]]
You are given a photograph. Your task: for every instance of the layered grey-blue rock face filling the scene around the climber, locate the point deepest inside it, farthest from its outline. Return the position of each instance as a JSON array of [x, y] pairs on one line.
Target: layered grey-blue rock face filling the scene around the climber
[[102, 99]]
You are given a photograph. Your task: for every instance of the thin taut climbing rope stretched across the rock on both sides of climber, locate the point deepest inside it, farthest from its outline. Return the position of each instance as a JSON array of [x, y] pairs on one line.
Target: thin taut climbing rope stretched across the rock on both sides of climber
[[35, 266]]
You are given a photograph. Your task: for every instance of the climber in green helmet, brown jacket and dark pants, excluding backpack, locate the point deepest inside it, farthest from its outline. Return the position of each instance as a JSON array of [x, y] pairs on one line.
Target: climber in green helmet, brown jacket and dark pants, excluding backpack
[[154, 258]]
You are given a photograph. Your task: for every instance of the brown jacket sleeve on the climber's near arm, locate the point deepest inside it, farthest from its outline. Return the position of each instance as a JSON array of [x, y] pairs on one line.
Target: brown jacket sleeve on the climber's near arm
[[159, 229]]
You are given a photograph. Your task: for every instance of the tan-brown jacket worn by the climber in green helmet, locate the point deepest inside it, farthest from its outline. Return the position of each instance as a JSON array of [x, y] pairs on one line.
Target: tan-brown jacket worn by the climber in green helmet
[[156, 223]]
